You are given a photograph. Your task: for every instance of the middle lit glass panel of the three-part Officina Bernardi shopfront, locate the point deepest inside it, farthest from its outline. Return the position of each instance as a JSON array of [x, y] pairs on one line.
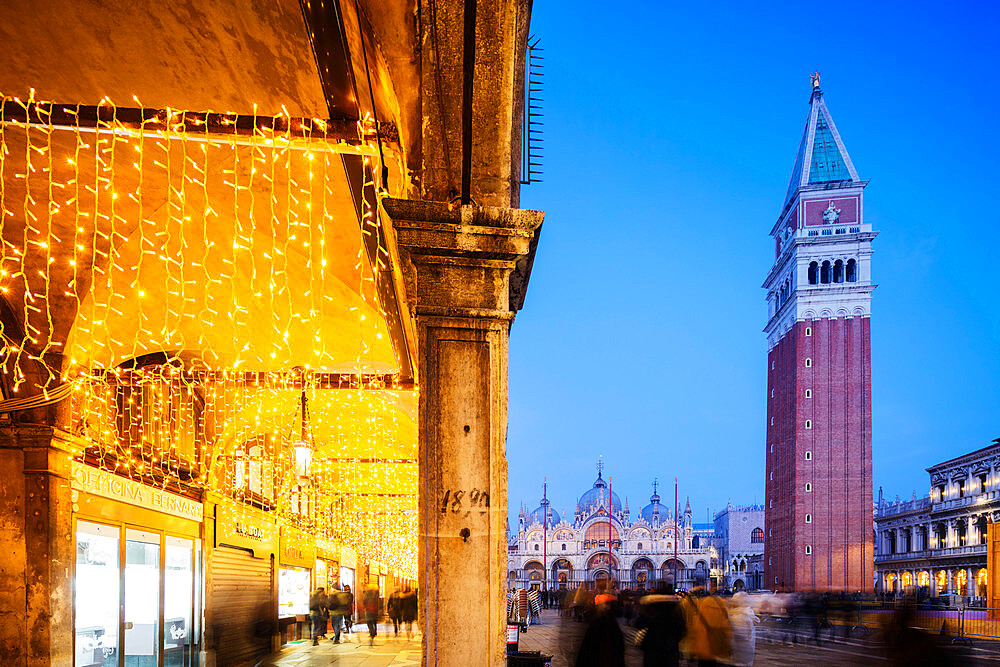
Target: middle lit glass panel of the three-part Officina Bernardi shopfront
[[142, 597]]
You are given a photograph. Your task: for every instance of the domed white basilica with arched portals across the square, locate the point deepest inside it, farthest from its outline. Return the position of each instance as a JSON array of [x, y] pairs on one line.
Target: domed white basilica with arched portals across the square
[[603, 544]]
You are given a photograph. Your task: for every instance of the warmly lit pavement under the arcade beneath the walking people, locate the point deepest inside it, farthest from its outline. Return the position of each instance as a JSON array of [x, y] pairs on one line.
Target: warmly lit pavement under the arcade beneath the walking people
[[353, 651]]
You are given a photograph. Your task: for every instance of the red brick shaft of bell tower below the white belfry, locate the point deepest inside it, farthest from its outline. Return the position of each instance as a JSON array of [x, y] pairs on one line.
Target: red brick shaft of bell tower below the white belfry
[[840, 468]]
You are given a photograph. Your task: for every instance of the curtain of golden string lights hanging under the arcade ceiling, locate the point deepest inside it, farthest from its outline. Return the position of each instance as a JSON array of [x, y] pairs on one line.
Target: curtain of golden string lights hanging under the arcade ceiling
[[187, 276]]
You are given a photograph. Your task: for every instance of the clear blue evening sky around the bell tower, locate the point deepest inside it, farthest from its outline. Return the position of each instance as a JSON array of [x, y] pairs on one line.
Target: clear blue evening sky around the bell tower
[[670, 133]]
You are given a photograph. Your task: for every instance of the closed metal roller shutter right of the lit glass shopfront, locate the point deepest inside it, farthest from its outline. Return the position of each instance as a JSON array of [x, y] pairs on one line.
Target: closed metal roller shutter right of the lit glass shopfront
[[241, 600]]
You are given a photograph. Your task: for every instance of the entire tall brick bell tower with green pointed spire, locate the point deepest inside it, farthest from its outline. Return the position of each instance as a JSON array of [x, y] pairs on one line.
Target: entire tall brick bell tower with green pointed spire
[[818, 489]]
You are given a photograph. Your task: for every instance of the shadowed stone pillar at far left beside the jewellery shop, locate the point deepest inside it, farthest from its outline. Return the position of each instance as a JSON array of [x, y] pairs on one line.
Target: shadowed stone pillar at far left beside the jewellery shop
[[37, 546]]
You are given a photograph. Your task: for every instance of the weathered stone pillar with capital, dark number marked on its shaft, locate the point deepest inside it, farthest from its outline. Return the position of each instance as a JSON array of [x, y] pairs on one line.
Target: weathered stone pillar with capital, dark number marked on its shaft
[[465, 270]]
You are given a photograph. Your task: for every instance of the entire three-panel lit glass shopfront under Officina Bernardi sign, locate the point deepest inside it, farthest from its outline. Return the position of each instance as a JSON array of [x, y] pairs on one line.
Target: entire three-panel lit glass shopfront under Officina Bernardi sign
[[137, 597]]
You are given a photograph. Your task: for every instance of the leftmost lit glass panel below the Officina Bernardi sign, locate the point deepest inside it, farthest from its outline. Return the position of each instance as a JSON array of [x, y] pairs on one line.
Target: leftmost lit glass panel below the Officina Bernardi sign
[[97, 595]]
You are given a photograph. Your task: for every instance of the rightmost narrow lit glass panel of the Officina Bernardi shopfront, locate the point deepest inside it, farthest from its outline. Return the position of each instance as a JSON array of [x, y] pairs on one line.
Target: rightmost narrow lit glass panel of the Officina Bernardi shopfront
[[178, 601]]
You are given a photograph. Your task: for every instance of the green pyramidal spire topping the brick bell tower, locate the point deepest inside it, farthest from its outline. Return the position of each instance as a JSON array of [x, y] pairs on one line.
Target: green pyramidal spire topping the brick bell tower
[[822, 158]]
